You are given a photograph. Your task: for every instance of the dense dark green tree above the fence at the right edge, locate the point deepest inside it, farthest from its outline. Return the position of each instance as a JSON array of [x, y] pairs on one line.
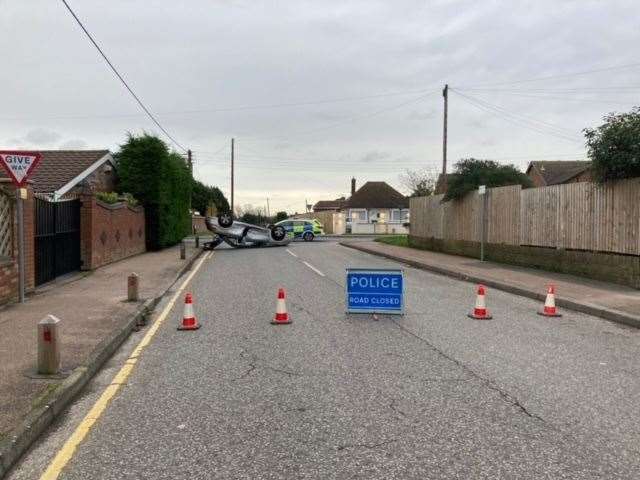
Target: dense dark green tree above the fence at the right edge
[[614, 146]]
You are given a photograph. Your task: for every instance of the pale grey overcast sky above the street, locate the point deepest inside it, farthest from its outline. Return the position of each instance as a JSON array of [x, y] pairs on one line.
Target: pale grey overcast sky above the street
[[317, 92]]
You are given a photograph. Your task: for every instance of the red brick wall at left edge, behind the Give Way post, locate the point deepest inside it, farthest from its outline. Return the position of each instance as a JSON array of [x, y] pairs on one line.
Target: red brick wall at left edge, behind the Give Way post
[[9, 266]]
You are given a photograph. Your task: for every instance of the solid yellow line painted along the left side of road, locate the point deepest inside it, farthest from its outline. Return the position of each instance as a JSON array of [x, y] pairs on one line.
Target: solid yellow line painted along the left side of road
[[66, 452]]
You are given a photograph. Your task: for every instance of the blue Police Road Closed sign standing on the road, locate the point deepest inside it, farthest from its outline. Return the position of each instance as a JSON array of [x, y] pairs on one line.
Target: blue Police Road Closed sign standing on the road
[[375, 291]]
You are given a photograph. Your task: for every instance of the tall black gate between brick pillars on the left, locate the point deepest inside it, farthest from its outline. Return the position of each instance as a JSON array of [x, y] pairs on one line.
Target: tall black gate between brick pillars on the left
[[57, 238]]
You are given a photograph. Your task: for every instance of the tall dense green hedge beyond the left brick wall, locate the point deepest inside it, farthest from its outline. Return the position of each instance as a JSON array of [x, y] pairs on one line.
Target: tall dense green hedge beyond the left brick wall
[[161, 181]]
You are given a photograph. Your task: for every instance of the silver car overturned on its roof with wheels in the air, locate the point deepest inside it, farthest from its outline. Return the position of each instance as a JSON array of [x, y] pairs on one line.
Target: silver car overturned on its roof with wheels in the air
[[241, 235]]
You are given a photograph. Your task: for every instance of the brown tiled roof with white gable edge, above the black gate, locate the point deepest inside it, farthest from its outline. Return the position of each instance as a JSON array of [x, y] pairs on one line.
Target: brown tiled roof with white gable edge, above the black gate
[[58, 168]]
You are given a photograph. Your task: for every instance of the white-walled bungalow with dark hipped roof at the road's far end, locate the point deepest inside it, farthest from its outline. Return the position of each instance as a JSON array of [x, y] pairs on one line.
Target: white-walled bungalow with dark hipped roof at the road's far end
[[376, 207]]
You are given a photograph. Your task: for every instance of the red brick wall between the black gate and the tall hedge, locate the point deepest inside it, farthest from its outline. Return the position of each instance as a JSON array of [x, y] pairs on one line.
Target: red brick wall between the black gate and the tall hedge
[[109, 233]]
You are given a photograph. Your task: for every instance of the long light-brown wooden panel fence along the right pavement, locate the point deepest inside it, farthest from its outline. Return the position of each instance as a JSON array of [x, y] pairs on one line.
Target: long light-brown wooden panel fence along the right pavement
[[578, 216]]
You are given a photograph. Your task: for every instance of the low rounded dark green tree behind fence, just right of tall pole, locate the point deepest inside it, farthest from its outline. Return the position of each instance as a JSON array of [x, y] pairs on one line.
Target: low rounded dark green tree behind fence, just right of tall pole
[[470, 173]]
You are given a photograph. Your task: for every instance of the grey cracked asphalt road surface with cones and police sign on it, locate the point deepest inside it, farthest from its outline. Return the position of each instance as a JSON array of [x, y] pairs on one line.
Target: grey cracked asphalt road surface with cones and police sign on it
[[432, 394]]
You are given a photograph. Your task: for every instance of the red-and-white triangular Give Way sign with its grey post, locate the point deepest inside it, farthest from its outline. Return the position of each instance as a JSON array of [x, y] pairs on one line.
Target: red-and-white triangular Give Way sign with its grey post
[[19, 165]]
